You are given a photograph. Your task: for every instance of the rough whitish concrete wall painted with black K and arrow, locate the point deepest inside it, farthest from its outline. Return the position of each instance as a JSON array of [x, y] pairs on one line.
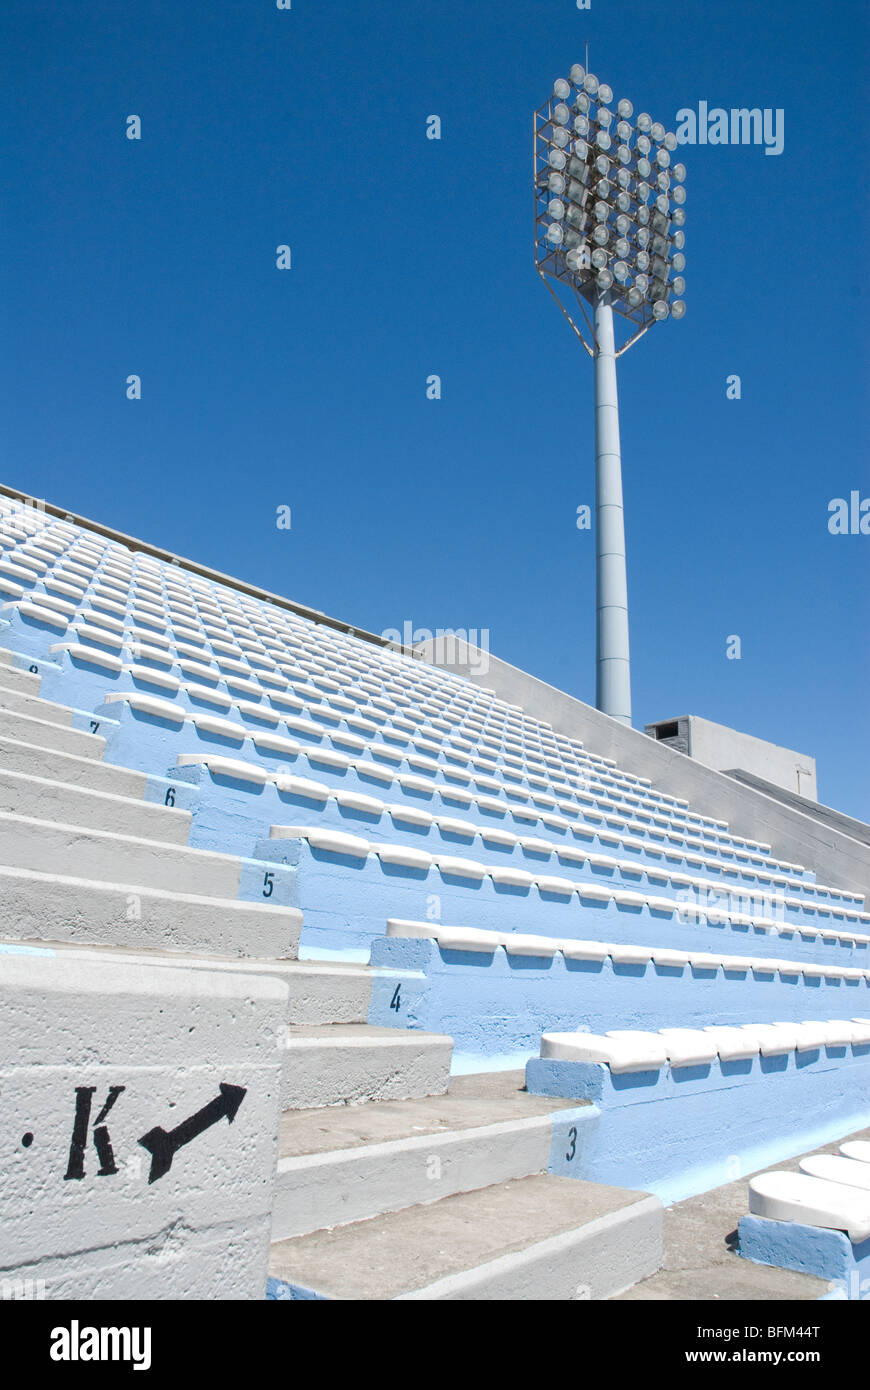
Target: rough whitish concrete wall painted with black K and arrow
[[98, 1057]]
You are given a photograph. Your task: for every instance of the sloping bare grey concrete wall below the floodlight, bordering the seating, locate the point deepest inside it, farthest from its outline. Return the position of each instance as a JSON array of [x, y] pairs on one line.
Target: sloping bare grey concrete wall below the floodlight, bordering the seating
[[837, 860]]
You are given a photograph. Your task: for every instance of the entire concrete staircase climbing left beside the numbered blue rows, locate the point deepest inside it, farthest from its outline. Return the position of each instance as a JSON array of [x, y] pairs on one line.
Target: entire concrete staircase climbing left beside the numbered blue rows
[[394, 1181]]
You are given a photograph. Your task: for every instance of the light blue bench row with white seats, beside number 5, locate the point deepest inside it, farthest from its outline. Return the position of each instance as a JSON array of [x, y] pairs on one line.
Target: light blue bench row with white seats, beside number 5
[[514, 896]]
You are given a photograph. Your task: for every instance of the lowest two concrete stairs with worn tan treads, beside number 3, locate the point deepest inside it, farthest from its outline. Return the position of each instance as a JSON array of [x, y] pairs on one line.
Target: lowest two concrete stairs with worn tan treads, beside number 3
[[448, 1197]]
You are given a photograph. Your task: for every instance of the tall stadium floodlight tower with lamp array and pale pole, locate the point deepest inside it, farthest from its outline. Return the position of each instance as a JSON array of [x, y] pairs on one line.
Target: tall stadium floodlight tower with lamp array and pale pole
[[609, 218]]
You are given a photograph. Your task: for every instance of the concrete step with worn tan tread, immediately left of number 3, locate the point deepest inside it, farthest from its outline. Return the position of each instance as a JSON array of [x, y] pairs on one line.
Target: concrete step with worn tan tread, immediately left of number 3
[[354, 1163]]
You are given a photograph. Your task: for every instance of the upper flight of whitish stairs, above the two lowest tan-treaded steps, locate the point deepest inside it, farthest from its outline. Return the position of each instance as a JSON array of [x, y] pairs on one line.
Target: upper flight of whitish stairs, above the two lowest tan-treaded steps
[[83, 865]]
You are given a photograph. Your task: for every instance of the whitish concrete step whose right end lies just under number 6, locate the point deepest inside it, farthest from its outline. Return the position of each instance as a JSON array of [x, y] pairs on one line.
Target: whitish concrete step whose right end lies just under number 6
[[51, 800]]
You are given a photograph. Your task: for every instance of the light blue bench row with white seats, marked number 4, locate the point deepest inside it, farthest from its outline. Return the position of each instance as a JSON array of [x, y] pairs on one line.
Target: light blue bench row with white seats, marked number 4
[[462, 979]]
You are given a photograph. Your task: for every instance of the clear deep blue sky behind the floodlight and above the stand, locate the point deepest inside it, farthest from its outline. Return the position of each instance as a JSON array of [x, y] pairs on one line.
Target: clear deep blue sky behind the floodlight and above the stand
[[412, 256]]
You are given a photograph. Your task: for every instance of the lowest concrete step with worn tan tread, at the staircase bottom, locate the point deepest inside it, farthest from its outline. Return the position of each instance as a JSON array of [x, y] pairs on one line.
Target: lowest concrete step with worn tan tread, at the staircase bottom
[[529, 1239]]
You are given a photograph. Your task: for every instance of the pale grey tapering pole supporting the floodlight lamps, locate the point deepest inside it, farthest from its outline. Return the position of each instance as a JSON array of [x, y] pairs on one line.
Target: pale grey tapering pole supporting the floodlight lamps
[[614, 672]]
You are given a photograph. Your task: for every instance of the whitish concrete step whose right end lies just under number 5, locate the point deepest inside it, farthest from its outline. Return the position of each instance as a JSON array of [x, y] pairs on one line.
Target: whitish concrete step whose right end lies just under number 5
[[56, 910]]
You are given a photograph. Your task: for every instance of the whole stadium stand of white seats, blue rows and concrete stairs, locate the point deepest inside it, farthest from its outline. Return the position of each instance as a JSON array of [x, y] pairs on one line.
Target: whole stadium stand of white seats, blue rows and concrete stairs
[[205, 783]]
